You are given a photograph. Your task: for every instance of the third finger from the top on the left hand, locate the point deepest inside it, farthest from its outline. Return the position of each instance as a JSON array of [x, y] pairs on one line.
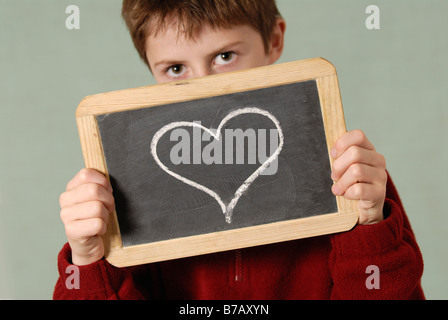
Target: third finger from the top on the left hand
[[85, 211]]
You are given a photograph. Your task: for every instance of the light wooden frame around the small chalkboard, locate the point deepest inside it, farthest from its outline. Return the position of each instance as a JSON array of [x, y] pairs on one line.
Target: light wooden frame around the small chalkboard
[[317, 69]]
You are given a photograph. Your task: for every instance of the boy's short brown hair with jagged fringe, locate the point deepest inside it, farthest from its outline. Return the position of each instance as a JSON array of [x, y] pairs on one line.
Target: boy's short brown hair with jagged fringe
[[147, 17]]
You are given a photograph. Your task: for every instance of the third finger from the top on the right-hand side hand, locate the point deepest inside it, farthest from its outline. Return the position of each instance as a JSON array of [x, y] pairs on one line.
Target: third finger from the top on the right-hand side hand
[[356, 174]]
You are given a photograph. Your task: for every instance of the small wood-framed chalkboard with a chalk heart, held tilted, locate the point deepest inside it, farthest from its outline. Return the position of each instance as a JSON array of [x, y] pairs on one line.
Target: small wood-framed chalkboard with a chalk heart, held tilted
[[218, 163]]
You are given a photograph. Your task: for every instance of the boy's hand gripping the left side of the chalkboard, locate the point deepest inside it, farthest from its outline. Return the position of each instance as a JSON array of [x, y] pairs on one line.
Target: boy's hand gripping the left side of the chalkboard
[[85, 208]]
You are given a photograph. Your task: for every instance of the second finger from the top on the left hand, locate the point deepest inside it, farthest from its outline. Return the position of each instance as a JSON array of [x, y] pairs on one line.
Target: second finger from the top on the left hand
[[87, 192]]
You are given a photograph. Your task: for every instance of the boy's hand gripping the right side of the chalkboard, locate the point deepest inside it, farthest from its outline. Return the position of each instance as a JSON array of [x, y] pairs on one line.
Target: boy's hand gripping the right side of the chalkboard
[[359, 173]]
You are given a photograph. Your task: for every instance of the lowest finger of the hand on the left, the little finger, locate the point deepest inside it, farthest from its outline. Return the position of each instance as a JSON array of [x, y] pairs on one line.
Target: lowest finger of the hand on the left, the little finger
[[84, 229]]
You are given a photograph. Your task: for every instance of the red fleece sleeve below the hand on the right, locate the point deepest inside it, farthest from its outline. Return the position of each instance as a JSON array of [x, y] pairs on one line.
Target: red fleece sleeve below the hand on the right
[[379, 261]]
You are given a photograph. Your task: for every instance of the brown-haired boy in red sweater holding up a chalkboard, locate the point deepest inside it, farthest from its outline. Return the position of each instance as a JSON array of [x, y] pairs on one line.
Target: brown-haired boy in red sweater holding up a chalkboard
[[186, 39]]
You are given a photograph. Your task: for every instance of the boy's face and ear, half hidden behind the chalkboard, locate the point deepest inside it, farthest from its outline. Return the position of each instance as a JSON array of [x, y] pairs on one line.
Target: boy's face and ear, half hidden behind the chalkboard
[[176, 57]]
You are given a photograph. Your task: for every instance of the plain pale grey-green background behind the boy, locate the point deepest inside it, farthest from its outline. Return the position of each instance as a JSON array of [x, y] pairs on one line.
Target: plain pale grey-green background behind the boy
[[393, 84]]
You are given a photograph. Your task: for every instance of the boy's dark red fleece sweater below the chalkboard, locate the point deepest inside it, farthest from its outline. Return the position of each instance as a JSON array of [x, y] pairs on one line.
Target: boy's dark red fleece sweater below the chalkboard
[[325, 267]]
